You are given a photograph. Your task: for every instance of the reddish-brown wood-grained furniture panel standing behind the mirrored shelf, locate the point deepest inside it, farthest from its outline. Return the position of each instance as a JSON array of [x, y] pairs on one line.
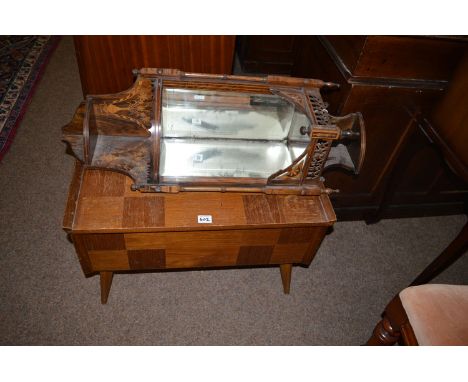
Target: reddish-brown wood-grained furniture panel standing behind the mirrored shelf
[[106, 62]]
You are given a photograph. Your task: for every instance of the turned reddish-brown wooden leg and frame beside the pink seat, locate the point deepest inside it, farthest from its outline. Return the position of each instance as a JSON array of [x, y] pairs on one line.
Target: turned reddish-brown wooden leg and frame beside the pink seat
[[393, 327]]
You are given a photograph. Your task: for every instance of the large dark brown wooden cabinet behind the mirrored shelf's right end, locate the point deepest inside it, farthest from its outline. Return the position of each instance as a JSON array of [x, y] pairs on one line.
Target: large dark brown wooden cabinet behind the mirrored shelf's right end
[[395, 82]]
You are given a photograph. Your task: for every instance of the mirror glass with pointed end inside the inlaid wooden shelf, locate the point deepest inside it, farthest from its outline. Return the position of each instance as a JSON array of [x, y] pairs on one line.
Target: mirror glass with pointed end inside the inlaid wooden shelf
[[228, 134]]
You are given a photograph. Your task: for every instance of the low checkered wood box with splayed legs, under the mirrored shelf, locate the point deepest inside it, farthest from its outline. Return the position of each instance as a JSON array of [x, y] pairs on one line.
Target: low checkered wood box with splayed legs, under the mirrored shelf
[[115, 229]]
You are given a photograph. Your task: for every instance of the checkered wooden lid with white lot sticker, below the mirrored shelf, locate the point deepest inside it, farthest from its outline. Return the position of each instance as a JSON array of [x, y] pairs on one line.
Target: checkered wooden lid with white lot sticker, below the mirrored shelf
[[106, 203]]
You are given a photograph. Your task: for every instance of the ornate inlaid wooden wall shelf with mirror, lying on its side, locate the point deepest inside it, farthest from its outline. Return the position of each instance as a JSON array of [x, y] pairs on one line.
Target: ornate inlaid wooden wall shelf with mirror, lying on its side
[[174, 131]]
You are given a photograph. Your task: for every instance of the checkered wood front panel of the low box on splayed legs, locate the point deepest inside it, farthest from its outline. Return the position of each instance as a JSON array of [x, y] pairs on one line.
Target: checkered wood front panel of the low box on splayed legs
[[160, 250]]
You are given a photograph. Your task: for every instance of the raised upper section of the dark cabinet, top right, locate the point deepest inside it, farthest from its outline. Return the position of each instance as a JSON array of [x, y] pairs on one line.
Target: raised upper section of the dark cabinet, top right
[[395, 57]]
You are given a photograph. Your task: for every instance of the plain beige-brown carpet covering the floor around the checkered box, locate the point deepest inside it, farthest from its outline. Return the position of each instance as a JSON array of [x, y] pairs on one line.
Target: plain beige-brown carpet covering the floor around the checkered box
[[45, 299]]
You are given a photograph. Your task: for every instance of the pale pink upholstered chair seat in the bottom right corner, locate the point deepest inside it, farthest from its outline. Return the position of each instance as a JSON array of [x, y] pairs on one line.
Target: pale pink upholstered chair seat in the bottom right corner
[[437, 313]]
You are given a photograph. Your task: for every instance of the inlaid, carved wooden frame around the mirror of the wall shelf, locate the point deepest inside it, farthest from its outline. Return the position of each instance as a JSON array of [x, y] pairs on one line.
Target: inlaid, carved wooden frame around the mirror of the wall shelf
[[122, 132]]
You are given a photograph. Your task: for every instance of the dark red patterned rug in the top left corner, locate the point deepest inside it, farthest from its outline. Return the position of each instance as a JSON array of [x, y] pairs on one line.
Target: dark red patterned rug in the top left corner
[[22, 61]]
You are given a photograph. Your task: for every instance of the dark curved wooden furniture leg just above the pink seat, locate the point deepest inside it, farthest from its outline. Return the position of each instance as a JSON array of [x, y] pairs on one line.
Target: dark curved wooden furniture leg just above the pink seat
[[451, 254]]
